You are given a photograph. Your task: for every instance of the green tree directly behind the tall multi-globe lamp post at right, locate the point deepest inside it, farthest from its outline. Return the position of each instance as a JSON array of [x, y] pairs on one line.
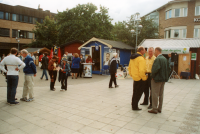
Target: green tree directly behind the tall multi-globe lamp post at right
[[121, 31]]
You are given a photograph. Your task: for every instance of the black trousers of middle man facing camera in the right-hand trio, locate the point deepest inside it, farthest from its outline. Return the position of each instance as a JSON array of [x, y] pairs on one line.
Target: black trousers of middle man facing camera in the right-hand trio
[[146, 91]]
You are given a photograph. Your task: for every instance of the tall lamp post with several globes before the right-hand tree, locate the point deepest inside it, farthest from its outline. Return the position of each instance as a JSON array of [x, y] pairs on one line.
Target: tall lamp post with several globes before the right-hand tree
[[137, 27]]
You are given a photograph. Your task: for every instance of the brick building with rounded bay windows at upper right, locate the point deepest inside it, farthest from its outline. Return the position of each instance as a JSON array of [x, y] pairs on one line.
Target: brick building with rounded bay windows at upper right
[[178, 19]]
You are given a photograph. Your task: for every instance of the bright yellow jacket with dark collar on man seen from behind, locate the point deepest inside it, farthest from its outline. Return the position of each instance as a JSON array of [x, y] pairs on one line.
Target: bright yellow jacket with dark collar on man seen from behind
[[137, 67]]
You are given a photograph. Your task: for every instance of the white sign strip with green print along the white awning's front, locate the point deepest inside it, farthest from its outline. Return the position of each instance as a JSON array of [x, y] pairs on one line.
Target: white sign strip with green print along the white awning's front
[[178, 50]]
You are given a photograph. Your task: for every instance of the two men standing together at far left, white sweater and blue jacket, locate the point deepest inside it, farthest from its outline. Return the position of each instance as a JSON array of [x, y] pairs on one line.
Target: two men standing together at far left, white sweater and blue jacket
[[13, 65]]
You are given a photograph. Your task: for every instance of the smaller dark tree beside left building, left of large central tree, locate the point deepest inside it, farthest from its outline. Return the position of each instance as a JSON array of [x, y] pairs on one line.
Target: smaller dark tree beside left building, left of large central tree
[[46, 33]]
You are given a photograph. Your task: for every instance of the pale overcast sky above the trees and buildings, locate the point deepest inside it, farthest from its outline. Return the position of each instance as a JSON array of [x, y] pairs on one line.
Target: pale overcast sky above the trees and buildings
[[119, 10]]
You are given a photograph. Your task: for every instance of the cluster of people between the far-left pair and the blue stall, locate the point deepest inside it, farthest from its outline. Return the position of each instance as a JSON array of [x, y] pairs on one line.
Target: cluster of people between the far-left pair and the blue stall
[[76, 69]]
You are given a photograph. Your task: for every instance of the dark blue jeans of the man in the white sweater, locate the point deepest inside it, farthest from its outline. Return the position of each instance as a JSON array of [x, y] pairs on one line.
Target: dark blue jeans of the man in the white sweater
[[12, 82]]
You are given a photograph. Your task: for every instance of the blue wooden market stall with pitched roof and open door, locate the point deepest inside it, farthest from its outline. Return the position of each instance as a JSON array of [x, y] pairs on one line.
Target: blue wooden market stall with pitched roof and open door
[[101, 52]]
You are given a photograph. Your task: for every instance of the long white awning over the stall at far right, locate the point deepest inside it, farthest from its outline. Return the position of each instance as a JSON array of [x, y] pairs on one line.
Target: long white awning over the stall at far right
[[172, 45]]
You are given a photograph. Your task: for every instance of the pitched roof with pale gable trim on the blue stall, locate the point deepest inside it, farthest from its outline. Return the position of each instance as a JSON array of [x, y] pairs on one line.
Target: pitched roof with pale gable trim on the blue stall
[[109, 43]]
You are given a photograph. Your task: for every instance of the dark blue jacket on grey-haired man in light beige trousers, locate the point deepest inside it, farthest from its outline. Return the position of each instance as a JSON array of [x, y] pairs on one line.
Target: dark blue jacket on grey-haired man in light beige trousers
[[30, 67]]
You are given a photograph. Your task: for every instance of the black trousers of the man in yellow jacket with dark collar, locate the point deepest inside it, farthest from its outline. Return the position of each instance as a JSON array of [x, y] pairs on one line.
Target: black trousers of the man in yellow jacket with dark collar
[[138, 88]]
